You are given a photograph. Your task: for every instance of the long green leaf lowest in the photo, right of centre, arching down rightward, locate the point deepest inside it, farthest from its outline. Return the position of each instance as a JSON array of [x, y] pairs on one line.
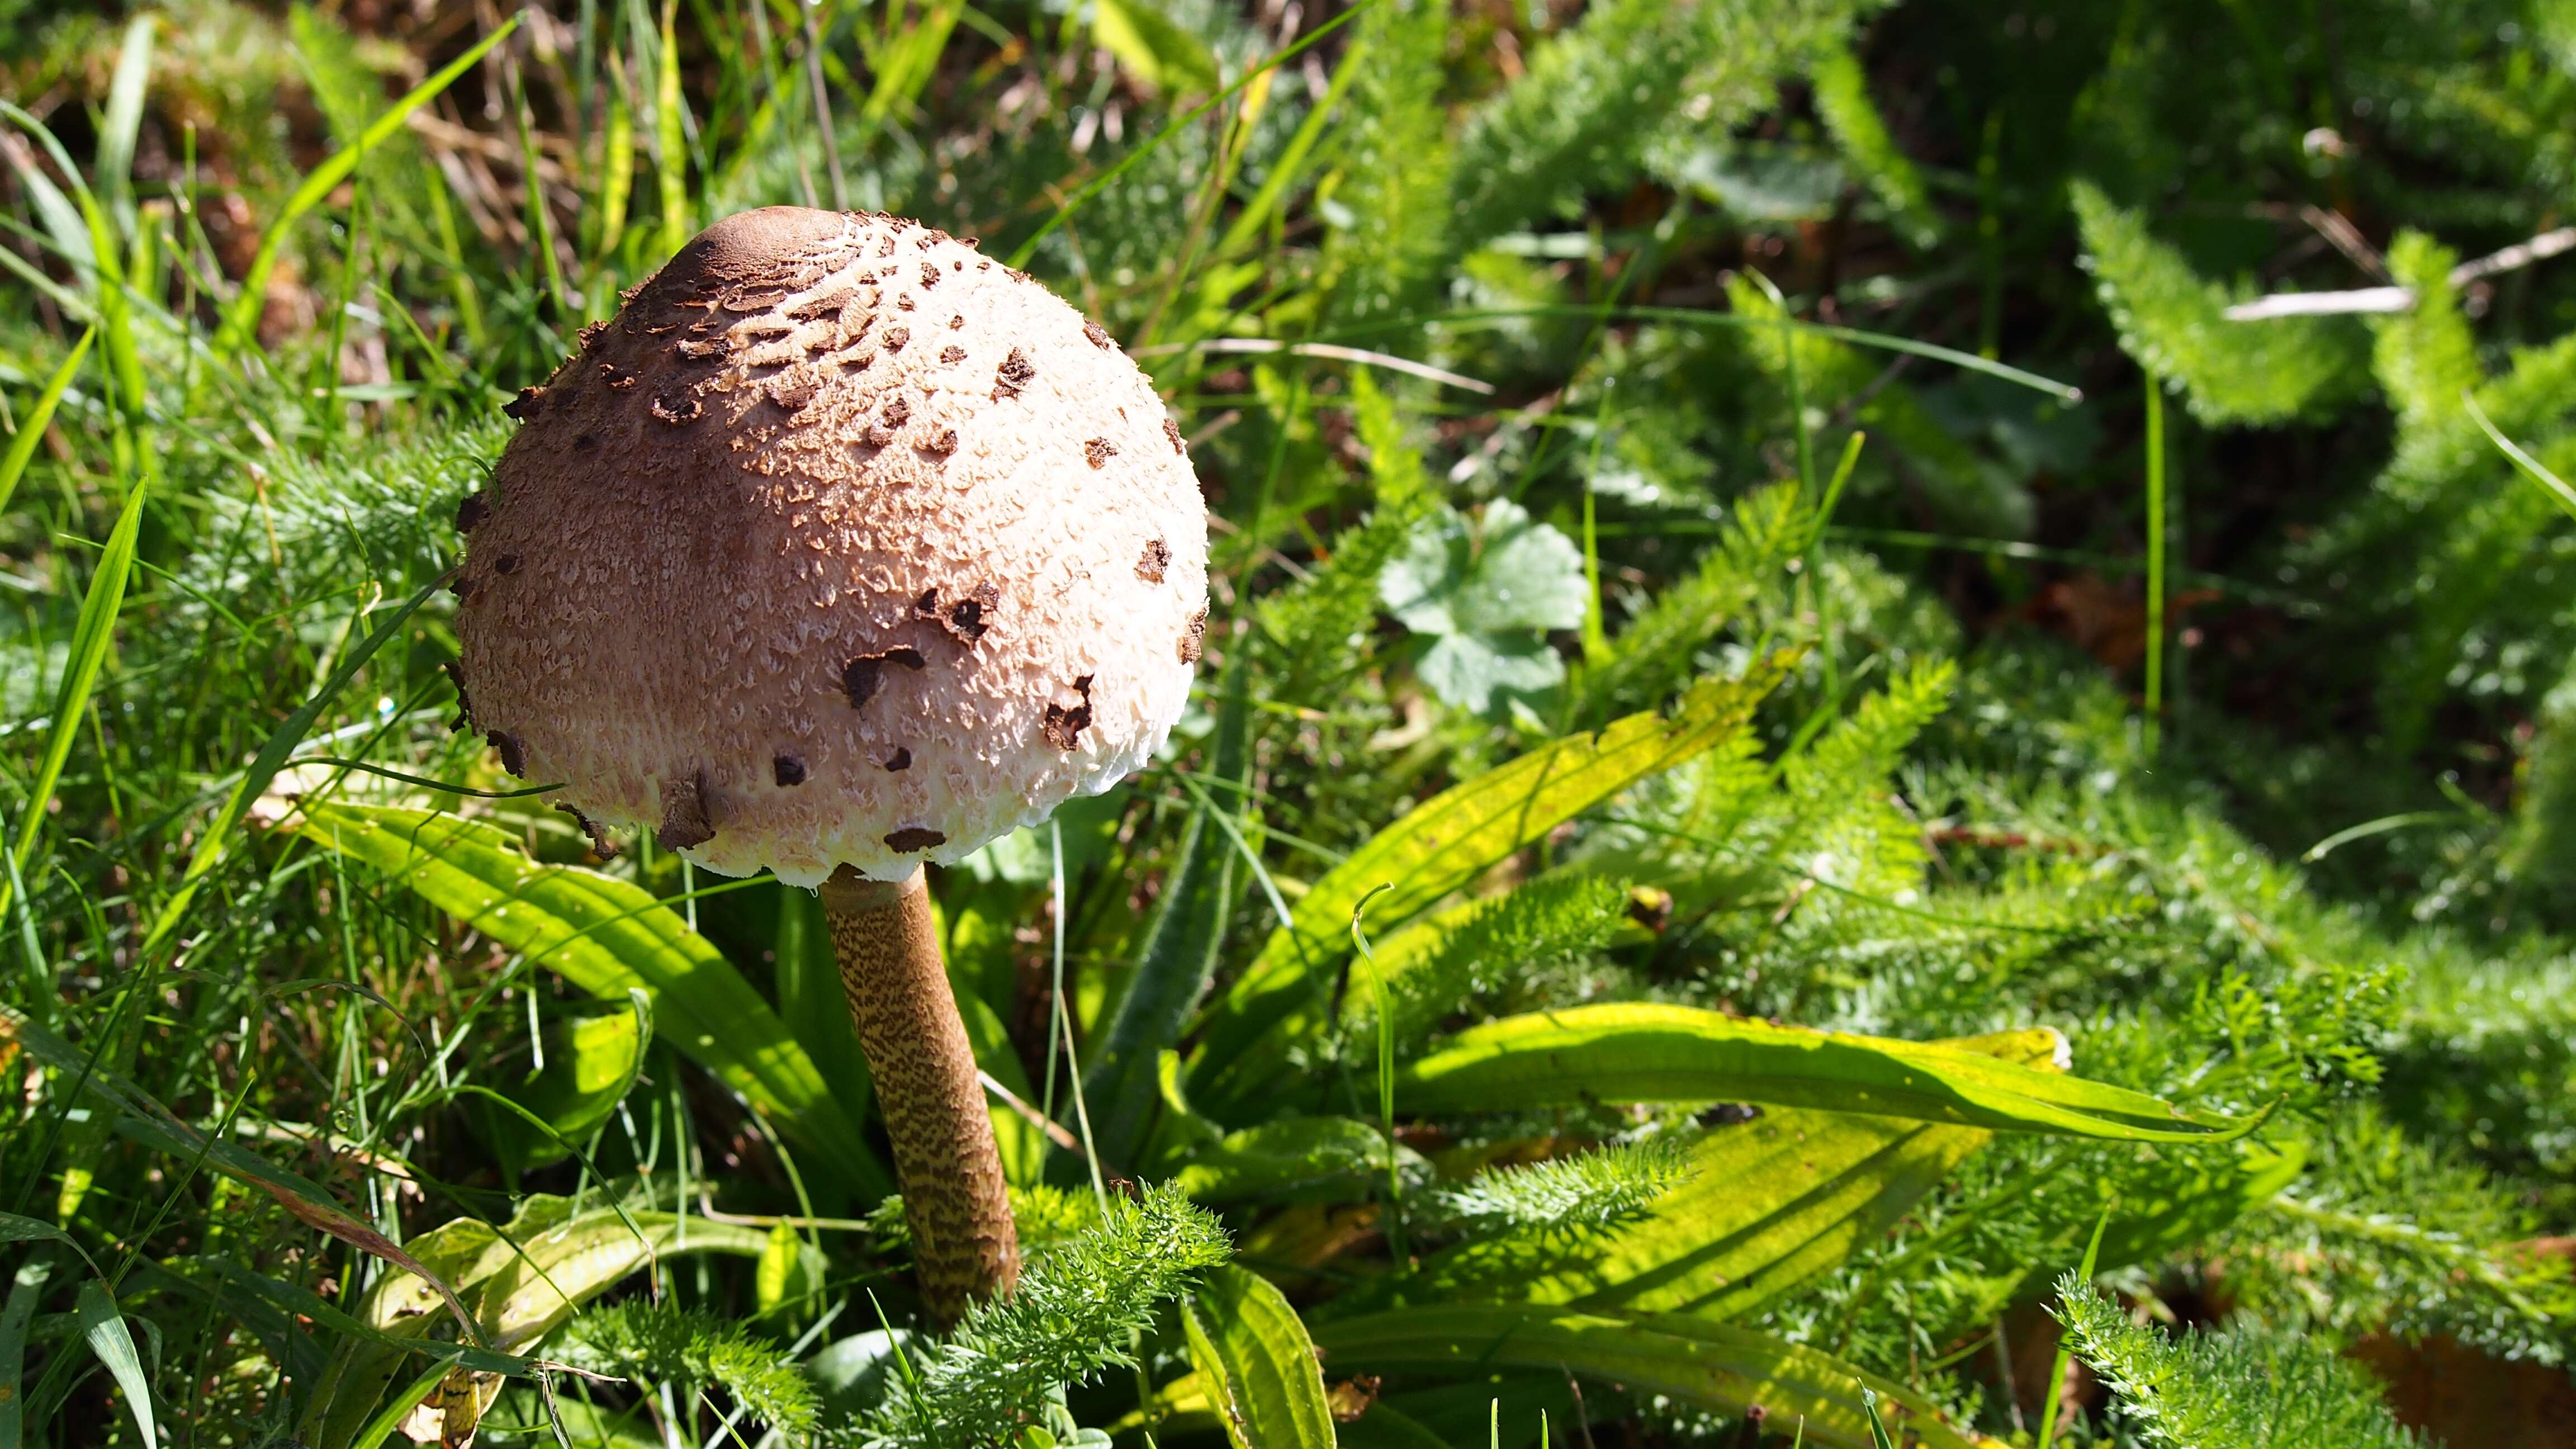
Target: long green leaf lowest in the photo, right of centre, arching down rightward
[[1689, 1360]]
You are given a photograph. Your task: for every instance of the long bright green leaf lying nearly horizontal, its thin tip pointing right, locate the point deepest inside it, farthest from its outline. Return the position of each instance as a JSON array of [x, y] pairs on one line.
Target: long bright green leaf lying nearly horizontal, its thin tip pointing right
[[1622, 1053]]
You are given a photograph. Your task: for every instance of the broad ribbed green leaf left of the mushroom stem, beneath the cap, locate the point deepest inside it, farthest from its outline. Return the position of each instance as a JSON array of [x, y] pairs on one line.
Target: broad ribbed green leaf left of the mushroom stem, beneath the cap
[[607, 937]]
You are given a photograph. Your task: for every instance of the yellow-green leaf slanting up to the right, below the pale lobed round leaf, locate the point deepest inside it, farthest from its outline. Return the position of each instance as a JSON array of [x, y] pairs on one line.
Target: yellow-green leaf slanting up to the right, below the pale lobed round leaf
[[1436, 850]]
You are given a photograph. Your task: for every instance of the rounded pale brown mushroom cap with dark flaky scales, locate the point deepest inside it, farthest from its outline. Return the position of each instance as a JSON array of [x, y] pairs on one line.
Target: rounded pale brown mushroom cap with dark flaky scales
[[838, 545]]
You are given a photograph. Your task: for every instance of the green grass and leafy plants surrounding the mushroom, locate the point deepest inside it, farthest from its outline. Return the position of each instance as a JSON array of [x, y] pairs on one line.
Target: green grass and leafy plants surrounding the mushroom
[[357, 1097]]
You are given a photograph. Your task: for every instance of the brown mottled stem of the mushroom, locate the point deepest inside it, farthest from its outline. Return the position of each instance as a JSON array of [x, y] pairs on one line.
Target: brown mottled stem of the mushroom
[[965, 1244]]
